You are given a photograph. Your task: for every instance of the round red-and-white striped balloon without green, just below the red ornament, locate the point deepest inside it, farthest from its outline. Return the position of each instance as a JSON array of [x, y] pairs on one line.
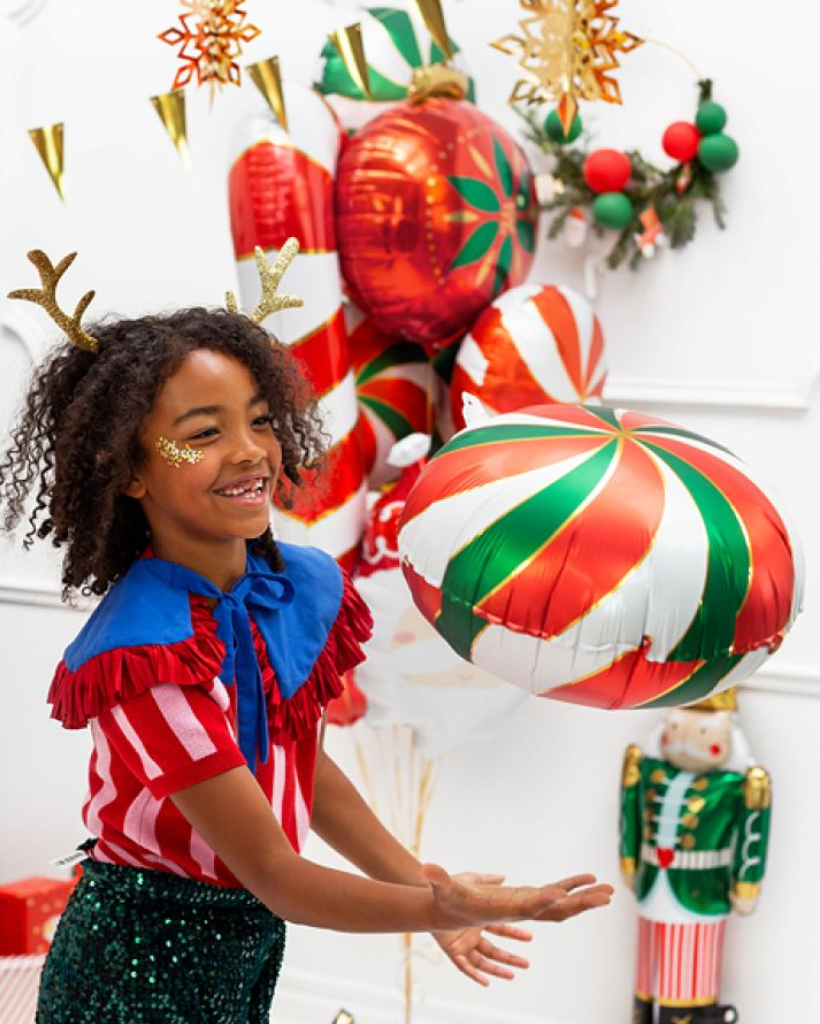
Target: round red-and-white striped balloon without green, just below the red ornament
[[535, 345]]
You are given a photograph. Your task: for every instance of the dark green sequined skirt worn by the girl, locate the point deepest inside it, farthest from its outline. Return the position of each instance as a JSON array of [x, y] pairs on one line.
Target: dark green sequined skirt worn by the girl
[[138, 947]]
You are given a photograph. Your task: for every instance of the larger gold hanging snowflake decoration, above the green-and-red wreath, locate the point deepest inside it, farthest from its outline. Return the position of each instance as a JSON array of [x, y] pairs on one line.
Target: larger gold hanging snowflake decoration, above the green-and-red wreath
[[568, 51]]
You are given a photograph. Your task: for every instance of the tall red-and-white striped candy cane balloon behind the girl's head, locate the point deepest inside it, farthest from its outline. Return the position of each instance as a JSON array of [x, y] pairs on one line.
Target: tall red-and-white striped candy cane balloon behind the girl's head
[[282, 185]]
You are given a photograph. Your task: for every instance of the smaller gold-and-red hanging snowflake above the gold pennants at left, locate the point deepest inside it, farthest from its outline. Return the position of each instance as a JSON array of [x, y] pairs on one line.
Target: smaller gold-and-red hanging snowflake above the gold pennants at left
[[210, 41]]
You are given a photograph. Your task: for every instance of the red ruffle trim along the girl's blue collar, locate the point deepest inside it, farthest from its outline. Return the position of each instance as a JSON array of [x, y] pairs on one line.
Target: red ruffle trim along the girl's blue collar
[[110, 678]]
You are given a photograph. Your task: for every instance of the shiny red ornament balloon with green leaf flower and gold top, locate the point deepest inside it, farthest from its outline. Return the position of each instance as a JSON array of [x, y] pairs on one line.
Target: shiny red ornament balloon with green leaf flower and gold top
[[437, 216]]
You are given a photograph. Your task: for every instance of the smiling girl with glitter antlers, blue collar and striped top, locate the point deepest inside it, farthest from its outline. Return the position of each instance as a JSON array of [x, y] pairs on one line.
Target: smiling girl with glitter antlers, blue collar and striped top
[[153, 448]]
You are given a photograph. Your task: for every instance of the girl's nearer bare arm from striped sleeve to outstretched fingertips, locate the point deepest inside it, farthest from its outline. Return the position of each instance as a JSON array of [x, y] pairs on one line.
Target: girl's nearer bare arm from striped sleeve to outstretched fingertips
[[231, 814]]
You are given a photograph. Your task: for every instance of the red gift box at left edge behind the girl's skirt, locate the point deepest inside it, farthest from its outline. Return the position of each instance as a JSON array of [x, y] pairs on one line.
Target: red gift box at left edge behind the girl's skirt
[[30, 910]]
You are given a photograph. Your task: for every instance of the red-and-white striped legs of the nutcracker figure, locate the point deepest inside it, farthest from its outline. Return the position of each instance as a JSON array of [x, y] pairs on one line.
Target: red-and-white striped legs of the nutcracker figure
[[680, 965]]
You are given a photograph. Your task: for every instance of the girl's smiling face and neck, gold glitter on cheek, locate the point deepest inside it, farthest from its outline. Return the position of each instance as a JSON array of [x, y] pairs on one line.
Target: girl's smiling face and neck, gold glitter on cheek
[[201, 514]]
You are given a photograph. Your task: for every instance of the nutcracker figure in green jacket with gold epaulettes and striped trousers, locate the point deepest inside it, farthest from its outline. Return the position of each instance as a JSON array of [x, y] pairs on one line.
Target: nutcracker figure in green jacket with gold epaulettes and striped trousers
[[695, 830]]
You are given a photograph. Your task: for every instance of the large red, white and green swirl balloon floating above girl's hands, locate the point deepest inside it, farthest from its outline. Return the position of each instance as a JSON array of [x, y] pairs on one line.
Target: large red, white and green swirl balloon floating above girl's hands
[[601, 558]]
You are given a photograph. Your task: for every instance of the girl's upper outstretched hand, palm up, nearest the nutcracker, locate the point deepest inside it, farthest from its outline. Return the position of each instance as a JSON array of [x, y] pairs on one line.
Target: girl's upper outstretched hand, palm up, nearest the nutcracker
[[460, 905]]
